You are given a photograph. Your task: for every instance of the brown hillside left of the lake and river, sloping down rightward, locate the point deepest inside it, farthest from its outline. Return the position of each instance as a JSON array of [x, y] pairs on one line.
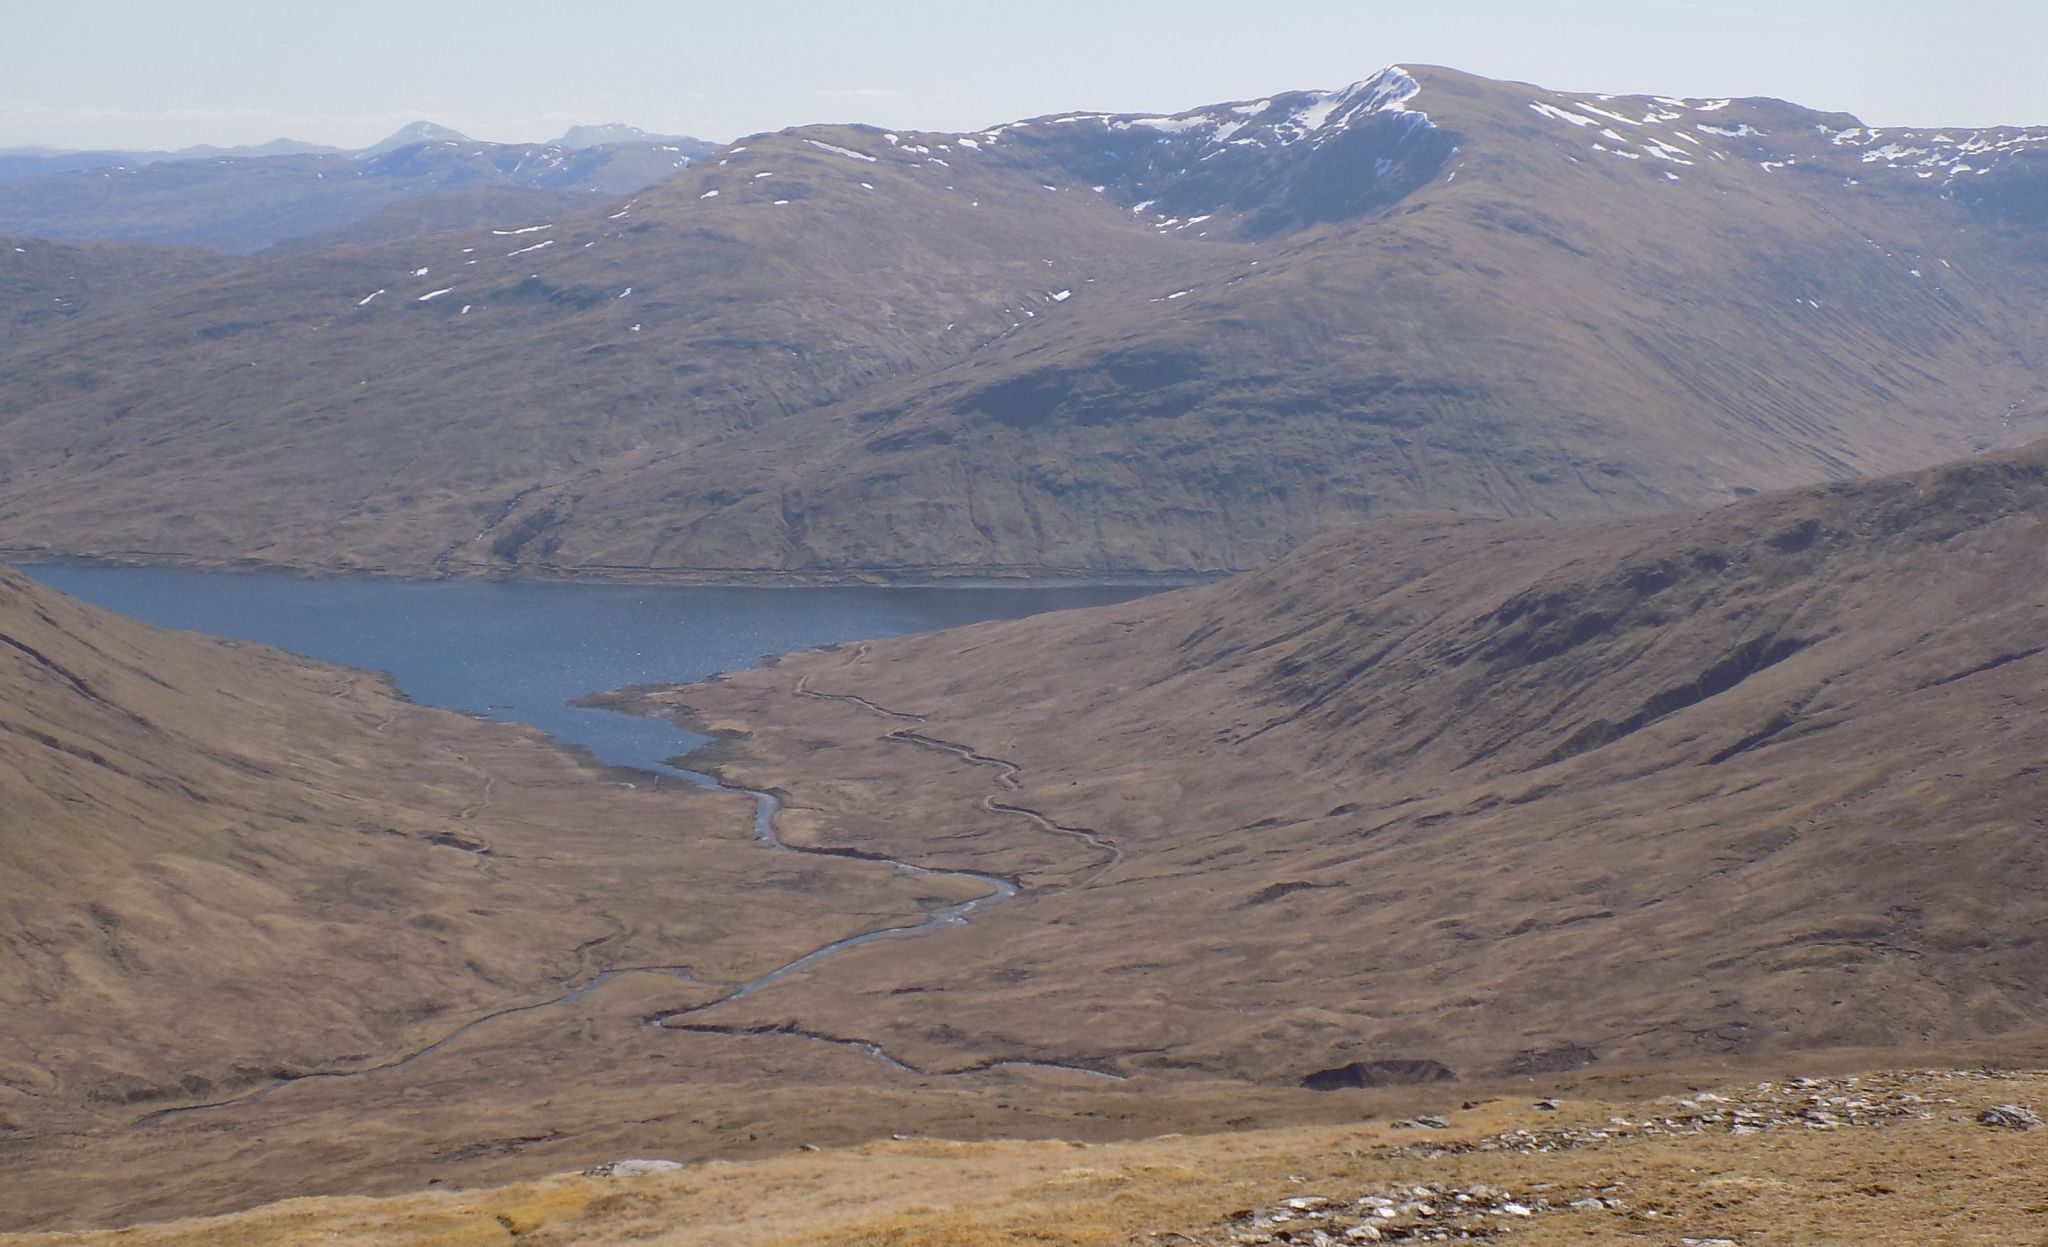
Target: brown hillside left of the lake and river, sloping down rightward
[[226, 869]]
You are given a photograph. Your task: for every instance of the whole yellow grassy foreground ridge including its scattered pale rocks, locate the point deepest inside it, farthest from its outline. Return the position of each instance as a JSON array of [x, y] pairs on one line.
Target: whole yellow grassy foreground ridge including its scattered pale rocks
[[1717, 1162]]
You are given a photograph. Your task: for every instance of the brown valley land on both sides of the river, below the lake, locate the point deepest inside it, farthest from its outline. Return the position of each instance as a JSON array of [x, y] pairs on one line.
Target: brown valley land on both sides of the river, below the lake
[[1431, 800]]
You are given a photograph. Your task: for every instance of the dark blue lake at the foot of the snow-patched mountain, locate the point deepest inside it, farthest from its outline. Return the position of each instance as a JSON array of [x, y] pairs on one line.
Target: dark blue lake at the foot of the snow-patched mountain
[[525, 650]]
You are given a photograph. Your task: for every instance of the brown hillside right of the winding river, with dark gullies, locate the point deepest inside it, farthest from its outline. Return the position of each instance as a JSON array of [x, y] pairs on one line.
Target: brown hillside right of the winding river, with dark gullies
[[1496, 798]]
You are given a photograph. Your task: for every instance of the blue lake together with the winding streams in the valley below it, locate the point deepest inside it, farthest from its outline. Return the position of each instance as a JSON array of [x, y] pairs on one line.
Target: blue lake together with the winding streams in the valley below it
[[527, 650]]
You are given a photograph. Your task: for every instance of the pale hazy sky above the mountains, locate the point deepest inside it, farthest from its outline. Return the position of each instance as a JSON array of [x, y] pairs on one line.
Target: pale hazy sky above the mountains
[[161, 73]]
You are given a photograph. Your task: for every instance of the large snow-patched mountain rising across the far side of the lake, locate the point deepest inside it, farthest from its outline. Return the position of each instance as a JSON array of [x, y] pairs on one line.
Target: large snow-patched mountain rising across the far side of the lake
[[1074, 345]]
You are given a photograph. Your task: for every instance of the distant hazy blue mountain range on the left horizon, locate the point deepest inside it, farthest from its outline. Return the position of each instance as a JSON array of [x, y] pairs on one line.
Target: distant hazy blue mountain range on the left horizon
[[245, 200]]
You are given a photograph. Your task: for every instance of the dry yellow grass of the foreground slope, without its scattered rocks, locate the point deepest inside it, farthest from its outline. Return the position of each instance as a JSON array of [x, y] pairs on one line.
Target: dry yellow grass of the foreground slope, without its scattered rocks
[[1938, 1178]]
